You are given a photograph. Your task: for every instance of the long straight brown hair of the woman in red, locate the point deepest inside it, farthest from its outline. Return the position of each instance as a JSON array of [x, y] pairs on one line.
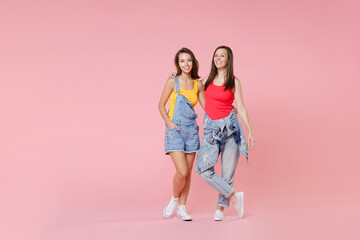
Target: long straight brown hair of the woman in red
[[229, 76]]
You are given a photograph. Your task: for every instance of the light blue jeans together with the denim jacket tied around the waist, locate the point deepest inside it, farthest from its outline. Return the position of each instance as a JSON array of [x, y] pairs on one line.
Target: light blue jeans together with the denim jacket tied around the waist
[[222, 136]]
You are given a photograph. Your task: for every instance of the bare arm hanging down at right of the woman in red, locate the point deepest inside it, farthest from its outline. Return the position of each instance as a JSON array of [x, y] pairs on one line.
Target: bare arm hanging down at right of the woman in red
[[243, 111]]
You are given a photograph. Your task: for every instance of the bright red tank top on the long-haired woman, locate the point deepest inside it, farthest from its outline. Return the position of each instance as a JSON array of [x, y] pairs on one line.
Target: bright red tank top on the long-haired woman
[[218, 103]]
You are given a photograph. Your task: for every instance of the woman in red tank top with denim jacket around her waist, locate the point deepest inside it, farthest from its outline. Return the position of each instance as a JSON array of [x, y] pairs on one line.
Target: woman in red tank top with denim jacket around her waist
[[222, 131]]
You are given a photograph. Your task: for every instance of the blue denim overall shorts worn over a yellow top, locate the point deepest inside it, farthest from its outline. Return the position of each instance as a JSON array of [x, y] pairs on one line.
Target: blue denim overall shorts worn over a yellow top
[[187, 139]]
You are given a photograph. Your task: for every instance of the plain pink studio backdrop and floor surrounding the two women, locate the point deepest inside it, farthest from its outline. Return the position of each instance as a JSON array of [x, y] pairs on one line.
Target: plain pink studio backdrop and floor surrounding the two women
[[81, 138]]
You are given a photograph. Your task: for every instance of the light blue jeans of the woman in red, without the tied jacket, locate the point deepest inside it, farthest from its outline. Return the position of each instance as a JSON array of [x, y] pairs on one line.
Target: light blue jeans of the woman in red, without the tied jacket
[[229, 159]]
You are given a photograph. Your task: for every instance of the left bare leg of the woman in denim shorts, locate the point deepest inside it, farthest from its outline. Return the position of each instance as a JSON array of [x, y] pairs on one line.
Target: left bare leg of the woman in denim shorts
[[181, 175]]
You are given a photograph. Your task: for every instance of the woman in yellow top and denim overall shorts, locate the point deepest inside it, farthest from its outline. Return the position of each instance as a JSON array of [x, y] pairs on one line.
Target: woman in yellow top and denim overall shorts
[[182, 132]]
